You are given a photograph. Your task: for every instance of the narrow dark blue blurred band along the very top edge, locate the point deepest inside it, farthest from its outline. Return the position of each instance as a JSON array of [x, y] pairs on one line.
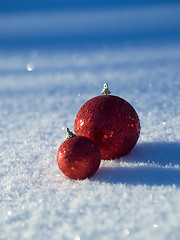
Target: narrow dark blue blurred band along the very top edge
[[40, 5]]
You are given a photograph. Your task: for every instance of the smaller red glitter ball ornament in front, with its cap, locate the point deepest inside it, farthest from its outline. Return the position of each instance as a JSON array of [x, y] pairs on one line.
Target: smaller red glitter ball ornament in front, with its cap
[[78, 157]]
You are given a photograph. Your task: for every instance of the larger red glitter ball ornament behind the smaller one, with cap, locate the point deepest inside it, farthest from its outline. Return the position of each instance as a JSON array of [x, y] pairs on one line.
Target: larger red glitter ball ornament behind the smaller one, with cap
[[110, 122]]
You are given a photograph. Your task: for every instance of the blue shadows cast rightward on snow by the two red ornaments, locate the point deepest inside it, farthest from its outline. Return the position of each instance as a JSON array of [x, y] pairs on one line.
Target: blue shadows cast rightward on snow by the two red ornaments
[[161, 154]]
